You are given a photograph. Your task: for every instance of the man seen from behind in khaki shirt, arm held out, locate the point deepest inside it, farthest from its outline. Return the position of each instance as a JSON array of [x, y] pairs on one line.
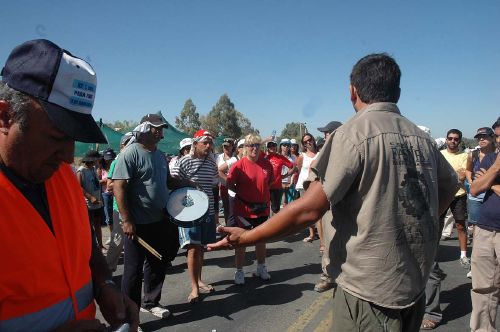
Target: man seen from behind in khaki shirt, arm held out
[[386, 184]]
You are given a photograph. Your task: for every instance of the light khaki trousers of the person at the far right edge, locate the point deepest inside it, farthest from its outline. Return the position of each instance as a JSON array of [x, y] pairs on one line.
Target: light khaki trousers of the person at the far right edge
[[485, 269]]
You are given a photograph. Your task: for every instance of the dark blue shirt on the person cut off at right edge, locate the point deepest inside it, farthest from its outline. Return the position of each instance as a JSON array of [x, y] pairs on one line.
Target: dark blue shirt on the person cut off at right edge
[[490, 209]]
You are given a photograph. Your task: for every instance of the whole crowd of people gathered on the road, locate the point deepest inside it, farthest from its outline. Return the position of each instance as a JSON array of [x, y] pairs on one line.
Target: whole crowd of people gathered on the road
[[375, 192]]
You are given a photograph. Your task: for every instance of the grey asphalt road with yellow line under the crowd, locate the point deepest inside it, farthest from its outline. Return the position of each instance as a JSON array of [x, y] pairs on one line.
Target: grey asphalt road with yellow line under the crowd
[[288, 301]]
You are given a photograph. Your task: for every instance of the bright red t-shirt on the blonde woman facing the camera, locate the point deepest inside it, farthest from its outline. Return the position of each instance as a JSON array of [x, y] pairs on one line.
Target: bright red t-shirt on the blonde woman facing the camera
[[252, 180]]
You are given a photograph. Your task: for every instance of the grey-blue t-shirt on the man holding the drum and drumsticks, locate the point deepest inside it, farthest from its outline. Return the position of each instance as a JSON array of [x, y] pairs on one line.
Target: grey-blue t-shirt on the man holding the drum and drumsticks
[[146, 173]]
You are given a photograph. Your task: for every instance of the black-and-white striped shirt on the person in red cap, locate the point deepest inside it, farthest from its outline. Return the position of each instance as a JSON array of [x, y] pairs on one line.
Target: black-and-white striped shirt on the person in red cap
[[203, 172]]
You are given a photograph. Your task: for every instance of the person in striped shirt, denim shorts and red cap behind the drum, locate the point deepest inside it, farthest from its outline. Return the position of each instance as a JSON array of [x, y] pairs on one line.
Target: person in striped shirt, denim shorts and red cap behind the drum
[[200, 168]]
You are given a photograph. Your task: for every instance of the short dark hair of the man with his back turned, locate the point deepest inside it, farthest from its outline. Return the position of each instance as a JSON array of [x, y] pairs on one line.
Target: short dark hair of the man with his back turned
[[376, 79]]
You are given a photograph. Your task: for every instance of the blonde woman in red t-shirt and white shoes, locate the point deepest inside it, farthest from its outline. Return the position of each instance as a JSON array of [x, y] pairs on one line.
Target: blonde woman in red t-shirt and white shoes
[[251, 177]]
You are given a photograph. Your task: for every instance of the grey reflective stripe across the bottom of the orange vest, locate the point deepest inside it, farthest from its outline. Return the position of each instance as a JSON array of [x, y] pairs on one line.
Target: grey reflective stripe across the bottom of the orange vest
[[51, 317]]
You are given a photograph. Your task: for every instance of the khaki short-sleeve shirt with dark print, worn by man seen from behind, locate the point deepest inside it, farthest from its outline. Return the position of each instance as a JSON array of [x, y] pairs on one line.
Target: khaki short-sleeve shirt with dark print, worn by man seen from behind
[[381, 174]]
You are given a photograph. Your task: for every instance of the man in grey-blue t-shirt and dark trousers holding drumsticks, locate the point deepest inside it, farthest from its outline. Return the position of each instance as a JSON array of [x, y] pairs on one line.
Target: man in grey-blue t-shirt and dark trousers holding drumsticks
[[140, 186]]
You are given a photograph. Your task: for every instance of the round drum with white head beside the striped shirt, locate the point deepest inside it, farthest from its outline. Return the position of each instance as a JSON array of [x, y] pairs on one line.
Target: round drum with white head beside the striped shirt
[[187, 206]]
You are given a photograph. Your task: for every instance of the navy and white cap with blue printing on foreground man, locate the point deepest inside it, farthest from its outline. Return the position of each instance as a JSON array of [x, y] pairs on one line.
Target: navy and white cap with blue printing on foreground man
[[63, 84]]
